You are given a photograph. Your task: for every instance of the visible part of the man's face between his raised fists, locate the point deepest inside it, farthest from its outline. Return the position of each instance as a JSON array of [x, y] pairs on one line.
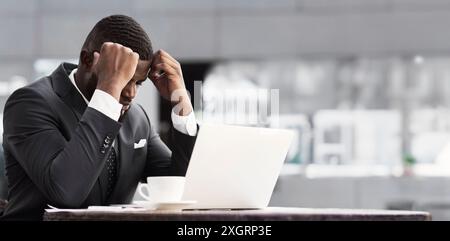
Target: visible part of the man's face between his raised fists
[[130, 90]]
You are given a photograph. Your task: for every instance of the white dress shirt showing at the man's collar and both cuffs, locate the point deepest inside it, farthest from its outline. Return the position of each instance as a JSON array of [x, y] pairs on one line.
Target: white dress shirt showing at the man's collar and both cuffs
[[109, 106]]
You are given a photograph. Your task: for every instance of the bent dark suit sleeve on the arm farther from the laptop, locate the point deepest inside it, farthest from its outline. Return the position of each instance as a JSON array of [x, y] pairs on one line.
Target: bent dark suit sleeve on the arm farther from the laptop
[[64, 170]]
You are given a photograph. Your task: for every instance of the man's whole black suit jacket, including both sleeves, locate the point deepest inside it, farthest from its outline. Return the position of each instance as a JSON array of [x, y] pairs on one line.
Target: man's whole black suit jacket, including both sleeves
[[56, 147]]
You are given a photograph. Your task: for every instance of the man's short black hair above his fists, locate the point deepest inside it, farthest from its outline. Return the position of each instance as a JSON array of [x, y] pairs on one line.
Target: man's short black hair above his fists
[[123, 30]]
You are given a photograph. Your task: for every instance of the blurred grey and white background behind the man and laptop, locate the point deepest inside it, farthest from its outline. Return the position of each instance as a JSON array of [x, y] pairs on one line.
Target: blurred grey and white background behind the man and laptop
[[365, 84]]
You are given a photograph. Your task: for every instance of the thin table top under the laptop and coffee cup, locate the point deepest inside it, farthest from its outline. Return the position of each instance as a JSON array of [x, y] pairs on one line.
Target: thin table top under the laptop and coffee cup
[[268, 214]]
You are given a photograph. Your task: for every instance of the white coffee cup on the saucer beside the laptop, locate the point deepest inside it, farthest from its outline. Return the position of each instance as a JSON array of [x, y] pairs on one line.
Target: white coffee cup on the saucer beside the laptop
[[163, 189]]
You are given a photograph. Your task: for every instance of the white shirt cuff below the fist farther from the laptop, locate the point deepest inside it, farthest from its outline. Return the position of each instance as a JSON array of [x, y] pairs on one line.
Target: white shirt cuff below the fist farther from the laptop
[[106, 104]]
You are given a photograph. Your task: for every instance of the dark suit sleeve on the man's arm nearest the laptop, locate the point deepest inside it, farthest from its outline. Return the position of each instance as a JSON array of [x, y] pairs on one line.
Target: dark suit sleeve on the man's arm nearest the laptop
[[161, 161]]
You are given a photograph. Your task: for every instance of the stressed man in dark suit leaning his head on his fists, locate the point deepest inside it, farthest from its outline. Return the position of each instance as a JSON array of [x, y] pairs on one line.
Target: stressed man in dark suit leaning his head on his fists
[[75, 138]]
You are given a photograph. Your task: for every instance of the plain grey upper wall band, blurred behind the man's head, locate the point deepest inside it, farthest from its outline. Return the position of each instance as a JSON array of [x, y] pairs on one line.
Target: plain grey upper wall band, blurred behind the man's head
[[197, 30]]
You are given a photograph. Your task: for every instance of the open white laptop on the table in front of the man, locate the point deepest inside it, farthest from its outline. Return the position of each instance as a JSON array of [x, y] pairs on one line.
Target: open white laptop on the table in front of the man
[[235, 167]]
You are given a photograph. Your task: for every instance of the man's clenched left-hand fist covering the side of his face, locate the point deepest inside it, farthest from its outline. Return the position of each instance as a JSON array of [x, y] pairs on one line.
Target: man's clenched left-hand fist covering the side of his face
[[115, 65]]
